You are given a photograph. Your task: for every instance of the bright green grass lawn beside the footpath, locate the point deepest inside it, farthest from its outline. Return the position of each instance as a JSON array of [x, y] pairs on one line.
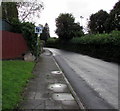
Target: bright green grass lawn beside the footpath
[[15, 75]]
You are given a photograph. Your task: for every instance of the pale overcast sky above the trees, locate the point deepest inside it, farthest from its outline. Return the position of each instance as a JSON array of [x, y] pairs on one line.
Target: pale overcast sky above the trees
[[52, 9]]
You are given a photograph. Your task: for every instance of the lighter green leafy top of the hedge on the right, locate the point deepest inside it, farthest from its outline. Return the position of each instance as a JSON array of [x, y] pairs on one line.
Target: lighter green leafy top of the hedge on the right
[[99, 39]]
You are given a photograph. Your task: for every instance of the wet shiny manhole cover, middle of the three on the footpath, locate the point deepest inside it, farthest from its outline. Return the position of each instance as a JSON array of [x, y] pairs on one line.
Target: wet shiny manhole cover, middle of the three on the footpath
[[58, 87]]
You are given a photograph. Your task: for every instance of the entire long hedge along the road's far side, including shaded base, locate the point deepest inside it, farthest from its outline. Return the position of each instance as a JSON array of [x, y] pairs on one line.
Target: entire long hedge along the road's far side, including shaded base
[[104, 46]]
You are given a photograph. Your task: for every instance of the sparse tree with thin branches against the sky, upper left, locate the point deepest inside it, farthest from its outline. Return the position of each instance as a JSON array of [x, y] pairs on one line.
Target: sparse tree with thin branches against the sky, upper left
[[29, 10]]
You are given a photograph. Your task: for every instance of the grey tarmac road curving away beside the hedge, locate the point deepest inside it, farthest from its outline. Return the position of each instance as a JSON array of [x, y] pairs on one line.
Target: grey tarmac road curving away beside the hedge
[[94, 81]]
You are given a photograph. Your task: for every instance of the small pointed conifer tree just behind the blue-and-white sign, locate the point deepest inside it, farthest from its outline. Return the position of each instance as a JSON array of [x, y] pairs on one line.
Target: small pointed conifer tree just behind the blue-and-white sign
[[45, 34]]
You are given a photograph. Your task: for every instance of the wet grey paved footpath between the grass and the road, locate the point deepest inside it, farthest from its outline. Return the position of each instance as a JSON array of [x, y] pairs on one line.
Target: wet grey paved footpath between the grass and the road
[[49, 89]]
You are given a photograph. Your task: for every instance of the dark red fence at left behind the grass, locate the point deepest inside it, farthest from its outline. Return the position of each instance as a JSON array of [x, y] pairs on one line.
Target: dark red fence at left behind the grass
[[13, 45]]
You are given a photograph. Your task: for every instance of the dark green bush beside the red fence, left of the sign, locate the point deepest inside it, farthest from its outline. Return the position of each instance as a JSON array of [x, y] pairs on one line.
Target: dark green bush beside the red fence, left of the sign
[[27, 29]]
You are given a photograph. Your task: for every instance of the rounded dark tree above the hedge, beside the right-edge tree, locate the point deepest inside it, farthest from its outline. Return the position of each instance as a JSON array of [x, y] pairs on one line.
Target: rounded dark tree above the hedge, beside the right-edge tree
[[97, 22]]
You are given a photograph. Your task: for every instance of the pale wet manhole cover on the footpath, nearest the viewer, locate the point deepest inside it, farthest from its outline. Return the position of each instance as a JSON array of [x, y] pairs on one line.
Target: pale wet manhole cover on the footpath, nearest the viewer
[[62, 96]]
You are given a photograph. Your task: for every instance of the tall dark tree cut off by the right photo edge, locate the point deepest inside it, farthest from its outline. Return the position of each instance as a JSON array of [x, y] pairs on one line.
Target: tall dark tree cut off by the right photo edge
[[113, 21]]
